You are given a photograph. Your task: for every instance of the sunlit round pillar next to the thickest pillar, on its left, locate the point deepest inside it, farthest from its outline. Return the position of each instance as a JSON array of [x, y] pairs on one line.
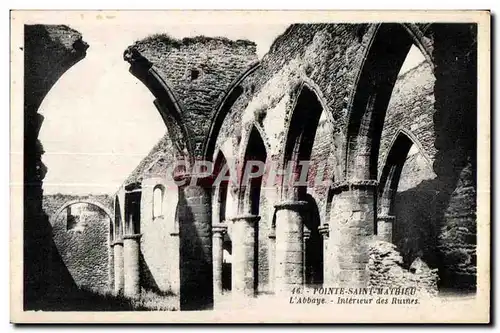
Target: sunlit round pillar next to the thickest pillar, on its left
[[289, 246]]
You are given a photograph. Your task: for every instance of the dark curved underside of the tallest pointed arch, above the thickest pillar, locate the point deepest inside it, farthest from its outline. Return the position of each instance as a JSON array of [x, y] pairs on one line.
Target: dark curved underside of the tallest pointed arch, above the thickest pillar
[[384, 57]]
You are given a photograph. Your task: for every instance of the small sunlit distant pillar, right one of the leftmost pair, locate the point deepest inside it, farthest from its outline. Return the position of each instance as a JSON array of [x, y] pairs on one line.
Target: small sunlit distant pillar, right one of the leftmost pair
[[131, 268]]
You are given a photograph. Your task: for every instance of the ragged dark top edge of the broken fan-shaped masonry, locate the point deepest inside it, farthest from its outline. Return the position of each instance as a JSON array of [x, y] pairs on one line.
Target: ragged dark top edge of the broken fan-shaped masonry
[[168, 40]]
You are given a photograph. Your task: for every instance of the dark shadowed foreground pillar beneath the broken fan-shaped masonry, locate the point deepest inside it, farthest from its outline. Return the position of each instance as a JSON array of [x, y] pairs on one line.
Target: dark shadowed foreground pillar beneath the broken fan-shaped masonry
[[195, 238]]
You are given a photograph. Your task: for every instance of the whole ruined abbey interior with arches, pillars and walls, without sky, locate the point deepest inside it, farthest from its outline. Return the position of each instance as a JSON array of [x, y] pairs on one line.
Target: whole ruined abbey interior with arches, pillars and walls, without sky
[[390, 197]]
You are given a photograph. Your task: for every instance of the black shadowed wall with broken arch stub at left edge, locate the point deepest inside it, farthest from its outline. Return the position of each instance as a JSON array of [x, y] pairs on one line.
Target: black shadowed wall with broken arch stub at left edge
[[49, 50]]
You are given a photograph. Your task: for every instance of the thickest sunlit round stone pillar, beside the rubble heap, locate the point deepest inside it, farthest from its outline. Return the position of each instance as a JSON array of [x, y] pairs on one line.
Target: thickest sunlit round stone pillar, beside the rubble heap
[[351, 228]]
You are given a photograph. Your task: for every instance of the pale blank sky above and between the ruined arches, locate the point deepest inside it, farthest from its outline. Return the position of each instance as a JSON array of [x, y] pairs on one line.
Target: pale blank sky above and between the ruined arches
[[100, 121]]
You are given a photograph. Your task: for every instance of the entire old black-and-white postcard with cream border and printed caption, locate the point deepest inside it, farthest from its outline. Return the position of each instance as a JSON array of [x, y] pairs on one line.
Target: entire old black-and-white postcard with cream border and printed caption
[[259, 166]]
